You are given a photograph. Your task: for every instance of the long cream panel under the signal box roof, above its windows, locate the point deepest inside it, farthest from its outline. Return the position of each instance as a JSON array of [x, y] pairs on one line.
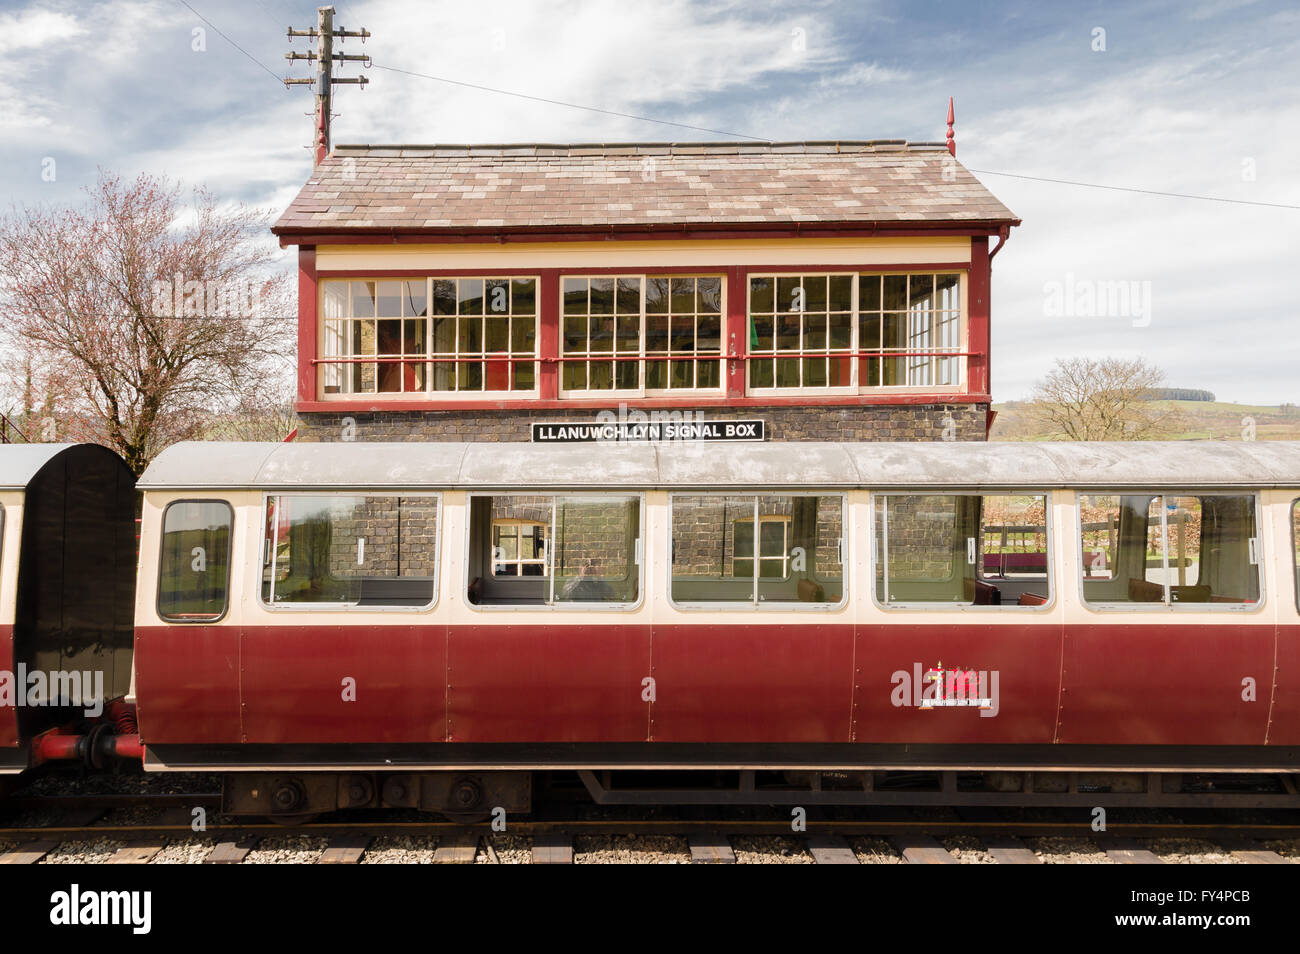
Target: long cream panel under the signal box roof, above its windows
[[660, 254]]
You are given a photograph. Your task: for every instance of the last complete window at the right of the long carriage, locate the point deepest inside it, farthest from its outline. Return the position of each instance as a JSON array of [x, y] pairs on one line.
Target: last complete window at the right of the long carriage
[[1169, 550]]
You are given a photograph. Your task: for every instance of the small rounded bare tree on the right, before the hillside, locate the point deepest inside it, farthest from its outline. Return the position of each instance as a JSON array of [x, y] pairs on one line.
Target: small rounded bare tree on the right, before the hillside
[[1102, 400]]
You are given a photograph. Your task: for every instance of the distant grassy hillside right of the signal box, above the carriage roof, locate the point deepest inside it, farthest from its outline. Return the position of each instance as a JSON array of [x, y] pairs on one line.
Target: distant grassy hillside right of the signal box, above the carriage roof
[[1195, 420]]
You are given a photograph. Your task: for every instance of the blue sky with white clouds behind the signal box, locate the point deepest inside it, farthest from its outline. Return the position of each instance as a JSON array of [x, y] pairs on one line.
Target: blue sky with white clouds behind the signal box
[[1199, 98]]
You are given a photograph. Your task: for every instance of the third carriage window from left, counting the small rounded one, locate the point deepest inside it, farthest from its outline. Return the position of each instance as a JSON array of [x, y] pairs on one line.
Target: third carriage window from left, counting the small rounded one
[[549, 550]]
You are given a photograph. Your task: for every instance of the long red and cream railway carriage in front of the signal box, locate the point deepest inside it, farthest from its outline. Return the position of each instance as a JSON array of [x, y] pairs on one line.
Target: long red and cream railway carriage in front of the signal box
[[440, 625]]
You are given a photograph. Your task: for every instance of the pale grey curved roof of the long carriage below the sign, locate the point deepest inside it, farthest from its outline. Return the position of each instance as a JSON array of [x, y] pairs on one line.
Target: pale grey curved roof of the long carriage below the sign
[[1177, 465]]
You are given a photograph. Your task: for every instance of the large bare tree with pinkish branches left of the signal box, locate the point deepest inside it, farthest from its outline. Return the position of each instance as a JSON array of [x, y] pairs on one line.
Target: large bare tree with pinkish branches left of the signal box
[[141, 316]]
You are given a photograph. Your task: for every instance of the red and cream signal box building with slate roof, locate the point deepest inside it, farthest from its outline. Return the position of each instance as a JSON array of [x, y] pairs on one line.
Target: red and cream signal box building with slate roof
[[818, 292]]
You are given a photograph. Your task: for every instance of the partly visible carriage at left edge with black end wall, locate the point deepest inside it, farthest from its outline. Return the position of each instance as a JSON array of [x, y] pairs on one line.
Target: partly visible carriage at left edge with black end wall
[[67, 593]]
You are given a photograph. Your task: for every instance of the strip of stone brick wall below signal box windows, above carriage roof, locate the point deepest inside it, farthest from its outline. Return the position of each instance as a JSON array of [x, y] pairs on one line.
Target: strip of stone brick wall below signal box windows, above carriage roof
[[872, 423]]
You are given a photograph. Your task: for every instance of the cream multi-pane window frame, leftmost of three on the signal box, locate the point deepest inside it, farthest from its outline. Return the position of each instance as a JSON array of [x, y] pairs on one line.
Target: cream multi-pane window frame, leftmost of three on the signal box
[[428, 392]]
